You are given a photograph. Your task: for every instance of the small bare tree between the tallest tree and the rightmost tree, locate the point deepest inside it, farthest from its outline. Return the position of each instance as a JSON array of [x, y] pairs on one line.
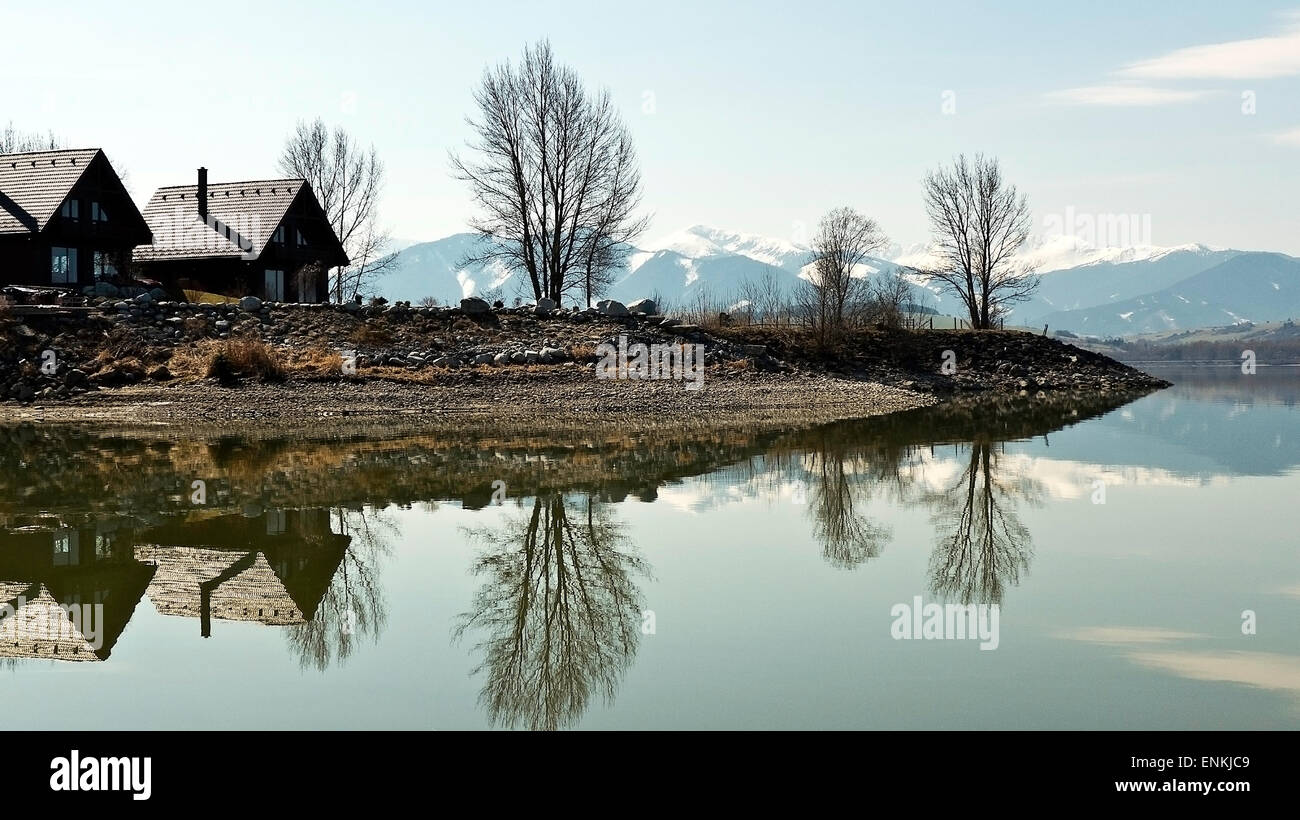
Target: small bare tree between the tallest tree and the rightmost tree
[[843, 242]]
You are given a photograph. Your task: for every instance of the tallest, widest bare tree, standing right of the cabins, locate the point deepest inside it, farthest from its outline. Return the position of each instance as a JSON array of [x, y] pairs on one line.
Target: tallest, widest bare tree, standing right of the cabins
[[554, 173]]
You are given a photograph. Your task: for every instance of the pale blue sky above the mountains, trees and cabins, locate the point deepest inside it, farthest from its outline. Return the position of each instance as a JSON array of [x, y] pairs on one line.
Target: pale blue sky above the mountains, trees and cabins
[[765, 114]]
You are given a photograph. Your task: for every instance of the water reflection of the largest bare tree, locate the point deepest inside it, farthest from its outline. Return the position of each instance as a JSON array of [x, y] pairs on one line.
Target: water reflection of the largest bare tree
[[560, 613]]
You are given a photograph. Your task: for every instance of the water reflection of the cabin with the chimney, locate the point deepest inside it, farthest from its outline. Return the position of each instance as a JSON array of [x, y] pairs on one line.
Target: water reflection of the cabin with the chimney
[[274, 567]]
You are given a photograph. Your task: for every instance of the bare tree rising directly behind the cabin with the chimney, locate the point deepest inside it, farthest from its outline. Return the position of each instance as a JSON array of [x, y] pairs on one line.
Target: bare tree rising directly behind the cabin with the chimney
[[348, 181]]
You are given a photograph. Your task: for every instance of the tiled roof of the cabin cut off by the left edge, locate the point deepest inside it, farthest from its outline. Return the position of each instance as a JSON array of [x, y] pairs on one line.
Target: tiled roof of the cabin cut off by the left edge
[[34, 185]]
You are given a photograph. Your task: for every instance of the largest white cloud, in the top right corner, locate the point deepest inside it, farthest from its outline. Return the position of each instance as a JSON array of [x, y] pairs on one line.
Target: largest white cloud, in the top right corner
[[1264, 58]]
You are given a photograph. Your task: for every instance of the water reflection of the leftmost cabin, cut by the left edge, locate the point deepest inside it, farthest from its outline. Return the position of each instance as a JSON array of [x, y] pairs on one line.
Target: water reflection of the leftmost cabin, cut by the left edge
[[46, 563]]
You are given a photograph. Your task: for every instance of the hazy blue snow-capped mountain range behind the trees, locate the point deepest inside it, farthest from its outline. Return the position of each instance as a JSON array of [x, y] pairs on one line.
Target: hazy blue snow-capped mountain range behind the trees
[[1082, 289]]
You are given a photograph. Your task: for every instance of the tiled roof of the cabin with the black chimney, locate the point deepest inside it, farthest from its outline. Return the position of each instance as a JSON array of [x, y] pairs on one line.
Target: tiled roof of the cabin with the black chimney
[[242, 219]]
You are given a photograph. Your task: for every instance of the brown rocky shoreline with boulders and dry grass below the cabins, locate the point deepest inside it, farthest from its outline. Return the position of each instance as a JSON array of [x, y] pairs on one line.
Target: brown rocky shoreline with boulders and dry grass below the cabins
[[151, 359]]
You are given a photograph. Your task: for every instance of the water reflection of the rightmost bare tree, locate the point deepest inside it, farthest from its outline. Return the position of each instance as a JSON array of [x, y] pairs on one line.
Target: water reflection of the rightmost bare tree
[[981, 546]]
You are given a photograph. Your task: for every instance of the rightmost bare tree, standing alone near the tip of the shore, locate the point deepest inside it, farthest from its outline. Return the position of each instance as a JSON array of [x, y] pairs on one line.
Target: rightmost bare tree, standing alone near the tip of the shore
[[980, 223]]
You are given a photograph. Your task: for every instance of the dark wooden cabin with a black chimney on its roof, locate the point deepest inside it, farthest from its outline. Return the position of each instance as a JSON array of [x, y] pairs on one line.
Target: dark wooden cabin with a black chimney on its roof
[[266, 238]]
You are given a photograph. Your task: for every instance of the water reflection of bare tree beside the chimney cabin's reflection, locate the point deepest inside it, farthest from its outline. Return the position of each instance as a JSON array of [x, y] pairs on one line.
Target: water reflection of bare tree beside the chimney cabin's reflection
[[353, 608]]
